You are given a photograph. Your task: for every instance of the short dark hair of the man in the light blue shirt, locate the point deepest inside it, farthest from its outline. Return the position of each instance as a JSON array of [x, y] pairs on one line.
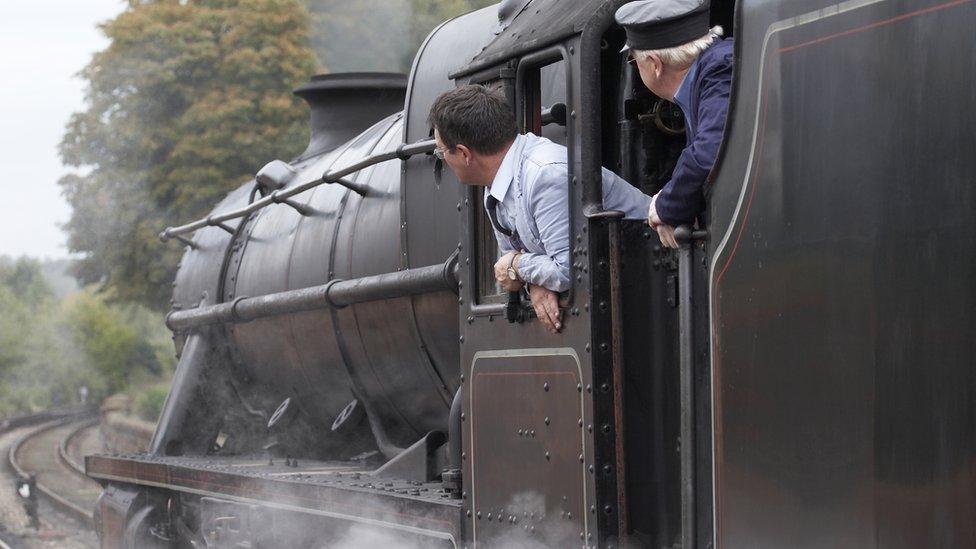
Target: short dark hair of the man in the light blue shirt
[[474, 116]]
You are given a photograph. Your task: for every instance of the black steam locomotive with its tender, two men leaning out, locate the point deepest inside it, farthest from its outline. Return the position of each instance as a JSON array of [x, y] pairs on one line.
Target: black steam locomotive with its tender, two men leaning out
[[798, 373]]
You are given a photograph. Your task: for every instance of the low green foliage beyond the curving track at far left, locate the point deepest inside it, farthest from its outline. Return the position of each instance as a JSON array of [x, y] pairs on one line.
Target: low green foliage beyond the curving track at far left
[[50, 347]]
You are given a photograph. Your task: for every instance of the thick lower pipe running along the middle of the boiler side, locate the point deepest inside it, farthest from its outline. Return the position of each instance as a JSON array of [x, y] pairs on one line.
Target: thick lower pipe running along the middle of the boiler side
[[334, 294]]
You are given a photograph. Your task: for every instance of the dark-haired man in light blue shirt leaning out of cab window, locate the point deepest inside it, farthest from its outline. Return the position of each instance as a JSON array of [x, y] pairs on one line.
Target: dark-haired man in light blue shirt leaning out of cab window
[[527, 194]]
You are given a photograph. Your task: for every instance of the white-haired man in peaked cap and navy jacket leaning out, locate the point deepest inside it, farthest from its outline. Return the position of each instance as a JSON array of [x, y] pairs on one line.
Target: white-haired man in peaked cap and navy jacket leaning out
[[684, 61]]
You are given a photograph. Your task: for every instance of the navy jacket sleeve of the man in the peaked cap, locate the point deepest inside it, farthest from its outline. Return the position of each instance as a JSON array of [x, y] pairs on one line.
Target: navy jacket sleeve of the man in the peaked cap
[[681, 199]]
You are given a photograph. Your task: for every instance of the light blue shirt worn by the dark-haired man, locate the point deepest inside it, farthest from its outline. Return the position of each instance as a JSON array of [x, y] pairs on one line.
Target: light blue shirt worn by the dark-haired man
[[532, 189]]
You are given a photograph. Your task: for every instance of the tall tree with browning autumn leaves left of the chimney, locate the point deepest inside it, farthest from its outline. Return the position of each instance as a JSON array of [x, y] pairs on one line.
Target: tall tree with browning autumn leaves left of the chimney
[[189, 99]]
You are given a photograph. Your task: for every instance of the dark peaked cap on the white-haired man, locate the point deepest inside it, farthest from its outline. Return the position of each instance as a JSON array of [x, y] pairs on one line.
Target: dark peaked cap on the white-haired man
[[658, 24]]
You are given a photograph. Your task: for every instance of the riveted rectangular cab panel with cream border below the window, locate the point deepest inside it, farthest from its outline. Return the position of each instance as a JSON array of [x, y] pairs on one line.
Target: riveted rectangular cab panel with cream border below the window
[[528, 460]]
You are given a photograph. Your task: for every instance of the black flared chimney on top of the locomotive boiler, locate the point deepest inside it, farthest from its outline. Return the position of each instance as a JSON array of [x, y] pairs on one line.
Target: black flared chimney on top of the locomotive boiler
[[344, 104]]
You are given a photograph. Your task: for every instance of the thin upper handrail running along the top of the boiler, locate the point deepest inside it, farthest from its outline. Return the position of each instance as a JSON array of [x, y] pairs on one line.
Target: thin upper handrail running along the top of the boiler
[[403, 152]]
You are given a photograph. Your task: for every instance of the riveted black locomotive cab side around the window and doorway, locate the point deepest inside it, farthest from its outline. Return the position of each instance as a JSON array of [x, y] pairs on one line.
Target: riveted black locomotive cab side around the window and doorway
[[604, 406]]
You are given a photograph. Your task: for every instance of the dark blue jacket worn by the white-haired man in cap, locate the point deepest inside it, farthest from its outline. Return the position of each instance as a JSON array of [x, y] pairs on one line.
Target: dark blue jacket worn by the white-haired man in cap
[[681, 200]]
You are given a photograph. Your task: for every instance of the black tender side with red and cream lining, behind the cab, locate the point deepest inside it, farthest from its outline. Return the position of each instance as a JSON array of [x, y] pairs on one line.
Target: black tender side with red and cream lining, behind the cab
[[842, 303]]
